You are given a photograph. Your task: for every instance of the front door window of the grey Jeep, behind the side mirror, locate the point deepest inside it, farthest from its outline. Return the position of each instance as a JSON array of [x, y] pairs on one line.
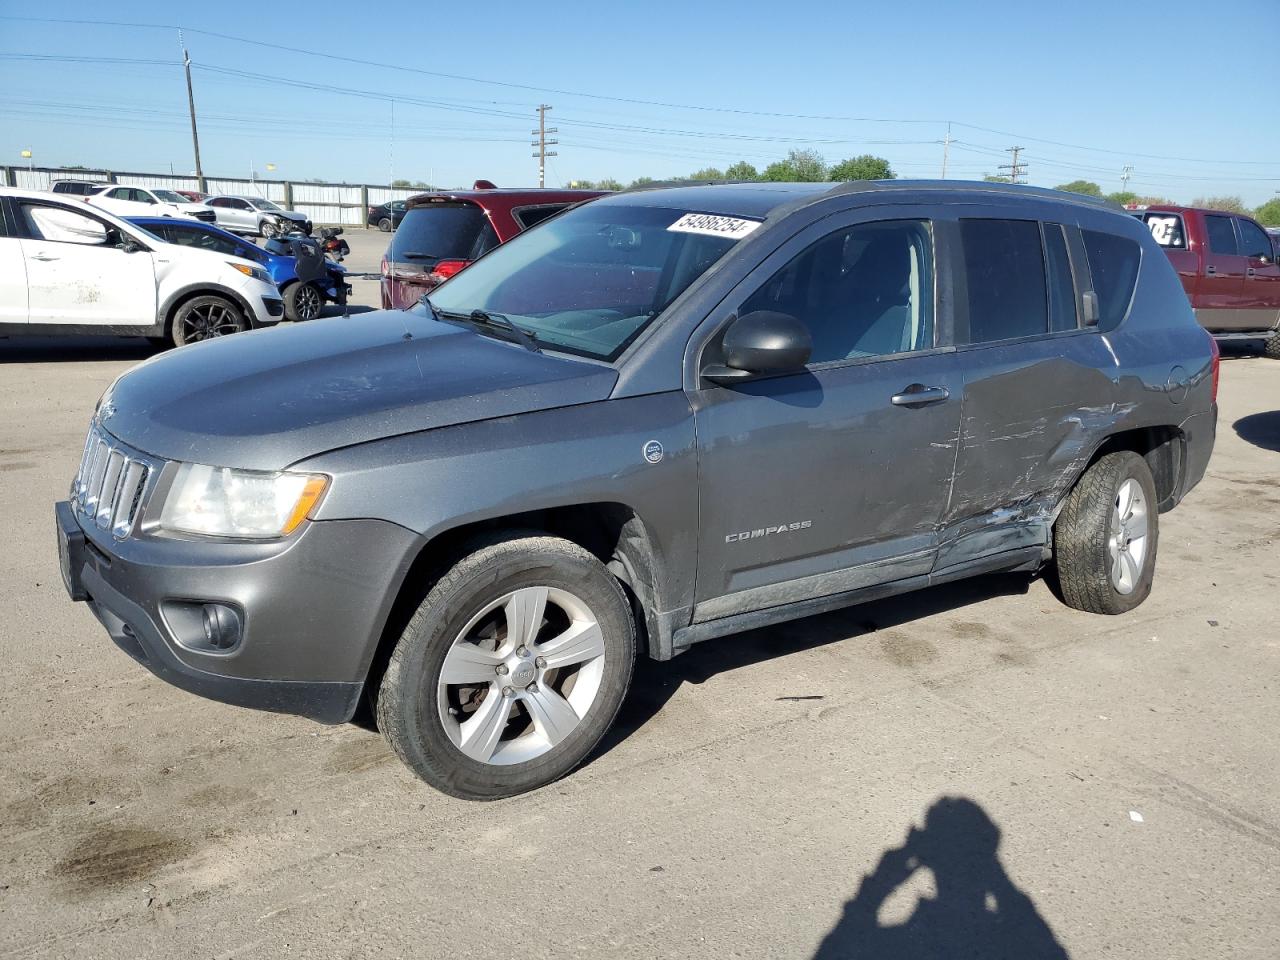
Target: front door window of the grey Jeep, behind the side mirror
[[866, 291]]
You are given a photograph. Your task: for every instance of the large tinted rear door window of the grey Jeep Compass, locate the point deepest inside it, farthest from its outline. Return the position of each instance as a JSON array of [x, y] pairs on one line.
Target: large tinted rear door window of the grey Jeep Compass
[[1005, 276]]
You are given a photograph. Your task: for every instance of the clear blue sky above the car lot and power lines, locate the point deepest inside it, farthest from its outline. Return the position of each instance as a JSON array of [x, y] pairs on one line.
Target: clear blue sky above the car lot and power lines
[[1186, 93]]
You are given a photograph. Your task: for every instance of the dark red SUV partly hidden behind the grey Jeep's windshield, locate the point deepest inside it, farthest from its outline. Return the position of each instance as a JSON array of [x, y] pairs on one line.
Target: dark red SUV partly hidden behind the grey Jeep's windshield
[[446, 231]]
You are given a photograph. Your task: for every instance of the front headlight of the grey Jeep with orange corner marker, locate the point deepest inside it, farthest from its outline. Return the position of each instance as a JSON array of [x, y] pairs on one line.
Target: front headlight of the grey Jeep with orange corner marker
[[241, 504]]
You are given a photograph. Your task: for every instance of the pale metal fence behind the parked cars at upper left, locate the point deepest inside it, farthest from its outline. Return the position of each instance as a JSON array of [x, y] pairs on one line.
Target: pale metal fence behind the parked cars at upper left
[[342, 204]]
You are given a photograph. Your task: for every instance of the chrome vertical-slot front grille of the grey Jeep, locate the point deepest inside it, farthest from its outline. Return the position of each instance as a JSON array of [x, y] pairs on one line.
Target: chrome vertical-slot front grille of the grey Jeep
[[112, 484]]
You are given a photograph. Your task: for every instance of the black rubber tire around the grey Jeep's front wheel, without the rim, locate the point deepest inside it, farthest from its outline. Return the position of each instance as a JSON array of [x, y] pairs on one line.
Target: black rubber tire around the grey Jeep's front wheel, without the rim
[[409, 701]]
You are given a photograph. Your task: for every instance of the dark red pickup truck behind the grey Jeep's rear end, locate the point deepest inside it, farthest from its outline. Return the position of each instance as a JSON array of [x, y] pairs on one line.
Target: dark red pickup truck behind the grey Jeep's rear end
[[1228, 267]]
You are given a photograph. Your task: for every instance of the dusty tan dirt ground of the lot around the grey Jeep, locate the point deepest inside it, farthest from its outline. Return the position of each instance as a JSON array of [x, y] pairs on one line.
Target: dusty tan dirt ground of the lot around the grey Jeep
[[973, 767]]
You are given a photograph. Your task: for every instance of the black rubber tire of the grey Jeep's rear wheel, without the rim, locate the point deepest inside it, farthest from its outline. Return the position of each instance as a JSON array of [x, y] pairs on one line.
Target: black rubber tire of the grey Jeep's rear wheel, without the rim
[[1087, 532]]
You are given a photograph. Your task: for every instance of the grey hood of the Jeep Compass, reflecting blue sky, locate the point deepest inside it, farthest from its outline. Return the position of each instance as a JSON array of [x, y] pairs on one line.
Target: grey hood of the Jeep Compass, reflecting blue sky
[[269, 399]]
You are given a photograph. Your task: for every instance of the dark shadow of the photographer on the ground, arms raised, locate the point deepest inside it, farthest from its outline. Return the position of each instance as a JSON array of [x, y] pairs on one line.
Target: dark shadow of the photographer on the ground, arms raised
[[977, 911]]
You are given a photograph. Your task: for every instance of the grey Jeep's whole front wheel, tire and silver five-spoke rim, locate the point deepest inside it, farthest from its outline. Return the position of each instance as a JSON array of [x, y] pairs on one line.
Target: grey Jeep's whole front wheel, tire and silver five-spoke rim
[[511, 670]]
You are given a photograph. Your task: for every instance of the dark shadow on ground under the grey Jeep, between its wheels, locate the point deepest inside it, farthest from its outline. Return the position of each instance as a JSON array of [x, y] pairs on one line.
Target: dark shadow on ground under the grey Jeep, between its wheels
[[655, 684]]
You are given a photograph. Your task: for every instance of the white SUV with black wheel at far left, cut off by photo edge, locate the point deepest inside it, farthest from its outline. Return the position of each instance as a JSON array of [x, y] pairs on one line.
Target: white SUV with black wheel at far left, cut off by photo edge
[[68, 268]]
